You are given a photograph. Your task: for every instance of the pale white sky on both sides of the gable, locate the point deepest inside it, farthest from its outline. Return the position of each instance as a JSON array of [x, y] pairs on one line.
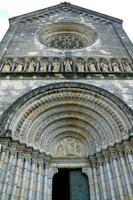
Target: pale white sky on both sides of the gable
[[122, 9]]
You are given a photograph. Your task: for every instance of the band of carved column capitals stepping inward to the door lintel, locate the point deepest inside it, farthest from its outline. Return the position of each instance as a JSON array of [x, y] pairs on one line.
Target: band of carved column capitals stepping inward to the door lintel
[[28, 153]]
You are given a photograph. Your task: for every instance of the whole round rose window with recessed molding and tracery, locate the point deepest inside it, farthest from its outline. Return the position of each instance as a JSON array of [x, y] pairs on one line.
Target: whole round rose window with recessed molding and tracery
[[67, 35]]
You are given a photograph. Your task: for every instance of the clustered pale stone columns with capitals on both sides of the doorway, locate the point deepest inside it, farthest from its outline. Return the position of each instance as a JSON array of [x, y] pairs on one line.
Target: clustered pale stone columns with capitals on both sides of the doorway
[[105, 178]]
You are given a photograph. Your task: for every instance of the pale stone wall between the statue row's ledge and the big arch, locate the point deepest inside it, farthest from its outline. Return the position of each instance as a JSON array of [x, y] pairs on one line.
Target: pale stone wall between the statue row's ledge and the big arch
[[11, 90]]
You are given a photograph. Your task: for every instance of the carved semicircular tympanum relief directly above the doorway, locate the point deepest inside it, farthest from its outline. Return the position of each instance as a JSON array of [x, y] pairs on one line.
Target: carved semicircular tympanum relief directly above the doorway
[[68, 147]]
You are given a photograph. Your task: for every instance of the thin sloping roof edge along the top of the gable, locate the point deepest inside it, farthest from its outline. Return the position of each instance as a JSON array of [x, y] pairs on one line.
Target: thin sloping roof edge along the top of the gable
[[51, 8]]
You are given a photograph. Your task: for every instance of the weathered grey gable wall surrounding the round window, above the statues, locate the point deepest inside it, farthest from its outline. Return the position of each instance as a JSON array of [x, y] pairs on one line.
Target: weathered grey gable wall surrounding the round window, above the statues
[[22, 37]]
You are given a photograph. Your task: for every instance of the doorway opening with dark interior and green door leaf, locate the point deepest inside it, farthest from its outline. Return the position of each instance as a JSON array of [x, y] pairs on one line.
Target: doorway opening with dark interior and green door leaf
[[70, 184]]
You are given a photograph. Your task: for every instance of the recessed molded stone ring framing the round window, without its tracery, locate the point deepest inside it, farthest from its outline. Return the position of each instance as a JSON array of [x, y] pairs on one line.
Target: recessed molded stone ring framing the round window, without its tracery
[[87, 35]]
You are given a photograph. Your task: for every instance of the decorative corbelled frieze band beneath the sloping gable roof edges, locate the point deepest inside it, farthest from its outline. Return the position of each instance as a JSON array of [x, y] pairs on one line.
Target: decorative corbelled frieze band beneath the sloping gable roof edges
[[65, 8]]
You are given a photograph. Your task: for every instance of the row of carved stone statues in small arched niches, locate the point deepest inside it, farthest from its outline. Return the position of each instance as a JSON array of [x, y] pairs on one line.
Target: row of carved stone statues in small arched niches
[[62, 65]]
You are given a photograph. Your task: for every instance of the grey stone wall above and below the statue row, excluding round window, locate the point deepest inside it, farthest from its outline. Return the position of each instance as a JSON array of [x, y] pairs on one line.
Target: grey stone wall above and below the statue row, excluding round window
[[21, 40]]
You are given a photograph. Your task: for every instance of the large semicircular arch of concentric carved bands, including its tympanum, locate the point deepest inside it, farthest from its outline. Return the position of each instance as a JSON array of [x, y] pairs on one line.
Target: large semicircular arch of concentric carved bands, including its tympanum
[[45, 117]]
